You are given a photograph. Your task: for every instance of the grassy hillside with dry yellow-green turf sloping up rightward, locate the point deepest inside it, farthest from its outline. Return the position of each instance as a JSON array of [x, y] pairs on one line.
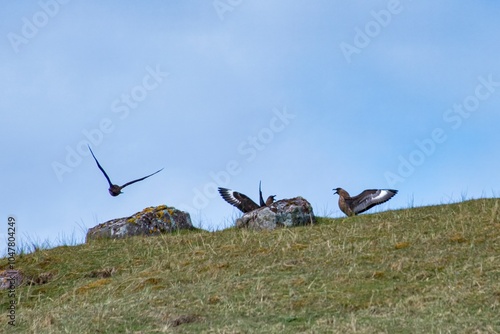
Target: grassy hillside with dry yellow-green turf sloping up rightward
[[422, 270]]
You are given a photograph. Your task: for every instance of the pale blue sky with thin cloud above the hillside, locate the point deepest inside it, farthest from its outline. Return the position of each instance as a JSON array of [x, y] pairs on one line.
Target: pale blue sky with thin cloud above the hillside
[[305, 96]]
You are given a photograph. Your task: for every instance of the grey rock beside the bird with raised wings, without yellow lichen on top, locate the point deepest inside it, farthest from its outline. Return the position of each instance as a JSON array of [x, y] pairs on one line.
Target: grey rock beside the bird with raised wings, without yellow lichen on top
[[283, 213]]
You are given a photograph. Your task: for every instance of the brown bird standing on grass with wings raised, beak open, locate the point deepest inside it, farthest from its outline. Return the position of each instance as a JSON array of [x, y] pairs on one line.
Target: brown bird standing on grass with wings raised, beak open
[[366, 200]]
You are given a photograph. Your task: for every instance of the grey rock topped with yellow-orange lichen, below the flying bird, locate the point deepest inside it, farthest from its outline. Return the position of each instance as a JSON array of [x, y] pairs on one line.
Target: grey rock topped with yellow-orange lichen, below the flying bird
[[150, 221]]
